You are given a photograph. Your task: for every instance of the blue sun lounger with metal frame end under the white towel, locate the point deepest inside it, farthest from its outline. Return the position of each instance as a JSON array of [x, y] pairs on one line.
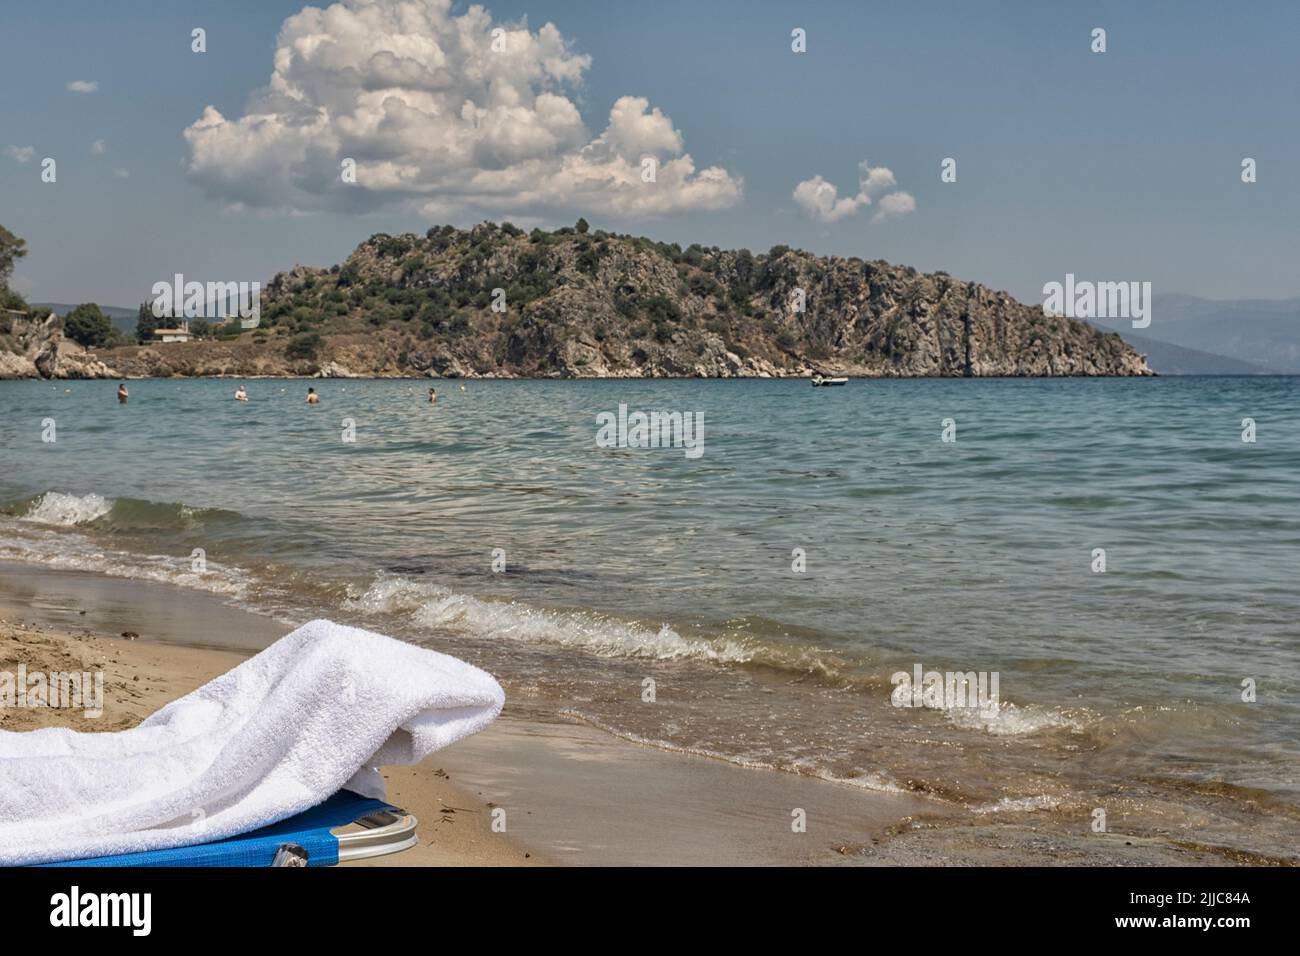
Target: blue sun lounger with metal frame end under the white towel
[[306, 840]]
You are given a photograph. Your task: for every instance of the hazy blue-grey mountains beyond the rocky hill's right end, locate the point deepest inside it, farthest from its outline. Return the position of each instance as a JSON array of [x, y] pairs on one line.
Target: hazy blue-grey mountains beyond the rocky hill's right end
[[1193, 336]]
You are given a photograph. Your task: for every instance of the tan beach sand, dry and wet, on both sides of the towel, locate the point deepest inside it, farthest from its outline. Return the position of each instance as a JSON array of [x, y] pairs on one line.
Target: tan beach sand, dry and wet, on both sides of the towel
[[575, 795]]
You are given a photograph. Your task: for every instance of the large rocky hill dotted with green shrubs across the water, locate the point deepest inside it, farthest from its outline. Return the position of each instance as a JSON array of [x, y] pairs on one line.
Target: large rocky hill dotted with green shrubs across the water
[[495, 301]]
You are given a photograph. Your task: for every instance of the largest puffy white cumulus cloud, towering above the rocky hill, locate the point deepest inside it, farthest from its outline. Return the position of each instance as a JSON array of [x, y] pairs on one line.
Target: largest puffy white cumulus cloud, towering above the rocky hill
[[440, 114]]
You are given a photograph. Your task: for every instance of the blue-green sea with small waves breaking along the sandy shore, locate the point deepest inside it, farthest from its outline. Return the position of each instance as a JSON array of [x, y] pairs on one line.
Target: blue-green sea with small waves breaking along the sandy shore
[[1119, 690]]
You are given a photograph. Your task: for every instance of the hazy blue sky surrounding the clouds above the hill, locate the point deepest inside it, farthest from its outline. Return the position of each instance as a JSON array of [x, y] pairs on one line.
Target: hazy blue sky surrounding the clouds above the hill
[[1117, 166]]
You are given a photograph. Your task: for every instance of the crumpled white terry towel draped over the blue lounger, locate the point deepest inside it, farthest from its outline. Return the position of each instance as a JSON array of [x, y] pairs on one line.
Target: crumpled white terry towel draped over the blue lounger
[[317, 712]]
